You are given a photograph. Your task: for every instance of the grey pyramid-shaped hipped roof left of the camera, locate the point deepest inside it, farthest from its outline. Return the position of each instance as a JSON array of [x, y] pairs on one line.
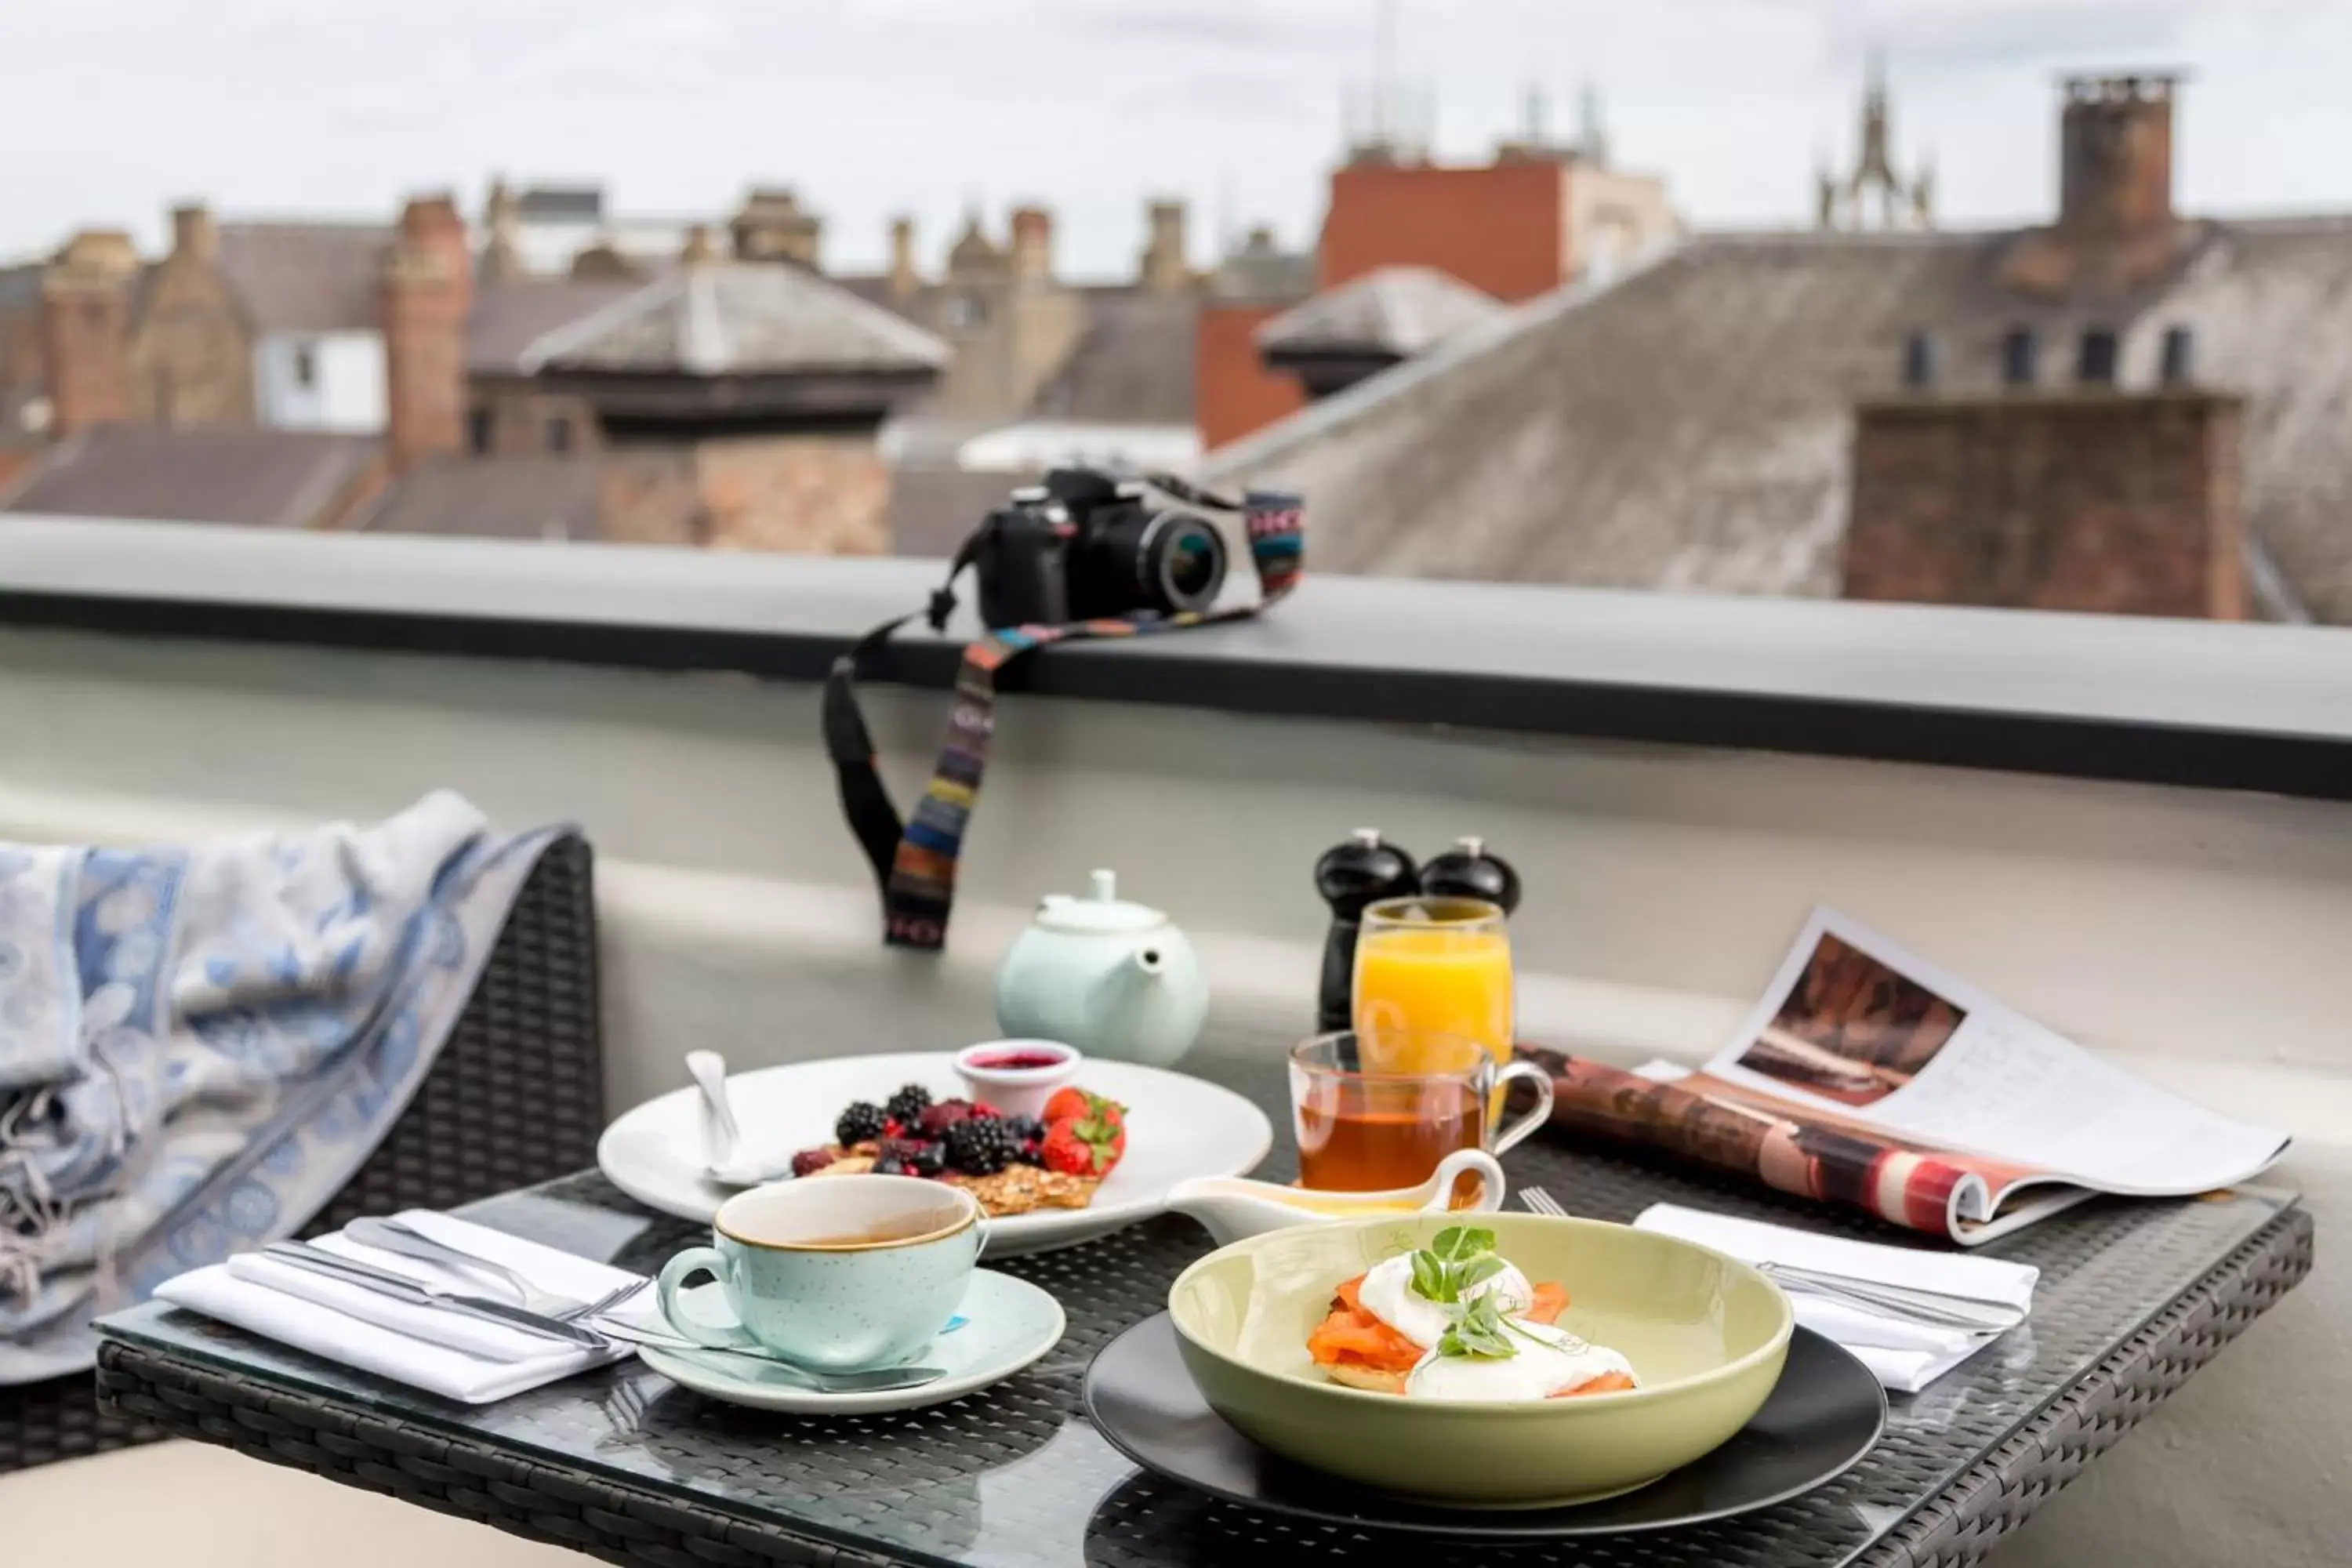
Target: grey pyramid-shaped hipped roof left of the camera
[[740, 321]]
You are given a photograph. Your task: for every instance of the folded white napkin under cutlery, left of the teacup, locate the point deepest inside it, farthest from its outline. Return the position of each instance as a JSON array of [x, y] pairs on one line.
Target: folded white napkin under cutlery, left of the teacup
[[429, 1348]]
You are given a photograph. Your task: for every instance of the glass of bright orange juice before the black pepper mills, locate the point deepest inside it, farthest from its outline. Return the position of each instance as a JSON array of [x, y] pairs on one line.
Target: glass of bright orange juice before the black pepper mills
[[1431, 967]]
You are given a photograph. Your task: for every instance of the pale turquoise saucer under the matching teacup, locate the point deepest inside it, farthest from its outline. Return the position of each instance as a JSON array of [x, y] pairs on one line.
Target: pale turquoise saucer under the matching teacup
[[1013, 1325]]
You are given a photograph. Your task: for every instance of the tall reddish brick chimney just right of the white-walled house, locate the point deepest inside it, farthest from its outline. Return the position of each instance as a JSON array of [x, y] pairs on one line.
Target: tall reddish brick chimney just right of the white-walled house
[[427, 297]]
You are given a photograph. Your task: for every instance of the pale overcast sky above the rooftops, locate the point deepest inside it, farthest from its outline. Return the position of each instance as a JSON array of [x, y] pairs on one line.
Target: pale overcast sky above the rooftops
[[869, 107]]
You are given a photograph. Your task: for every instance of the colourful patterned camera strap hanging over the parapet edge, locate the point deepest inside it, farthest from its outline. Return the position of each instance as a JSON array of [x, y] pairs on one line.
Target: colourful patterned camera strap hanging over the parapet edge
[[916, 859]]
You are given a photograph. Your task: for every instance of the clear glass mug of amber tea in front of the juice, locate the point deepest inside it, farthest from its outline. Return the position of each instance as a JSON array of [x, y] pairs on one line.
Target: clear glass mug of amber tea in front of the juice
[[1370, 1130]]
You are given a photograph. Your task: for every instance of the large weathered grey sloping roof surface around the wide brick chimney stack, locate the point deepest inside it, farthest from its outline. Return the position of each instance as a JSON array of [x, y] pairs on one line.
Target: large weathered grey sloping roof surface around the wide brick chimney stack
[[1688, 427]]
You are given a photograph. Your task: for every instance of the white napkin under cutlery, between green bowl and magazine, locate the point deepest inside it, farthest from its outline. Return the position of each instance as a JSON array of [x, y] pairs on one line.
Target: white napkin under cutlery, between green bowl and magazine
[[1904, 1355]]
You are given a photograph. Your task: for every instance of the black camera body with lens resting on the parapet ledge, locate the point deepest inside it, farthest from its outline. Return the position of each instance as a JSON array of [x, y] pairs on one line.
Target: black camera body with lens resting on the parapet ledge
[[1088, 547]]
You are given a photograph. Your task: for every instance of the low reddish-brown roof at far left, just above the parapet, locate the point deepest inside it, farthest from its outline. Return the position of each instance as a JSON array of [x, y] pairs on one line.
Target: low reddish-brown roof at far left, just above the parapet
[[260, 478]]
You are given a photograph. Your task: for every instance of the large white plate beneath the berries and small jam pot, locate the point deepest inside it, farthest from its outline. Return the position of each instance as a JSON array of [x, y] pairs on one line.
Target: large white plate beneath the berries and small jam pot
[[1177, 1130]]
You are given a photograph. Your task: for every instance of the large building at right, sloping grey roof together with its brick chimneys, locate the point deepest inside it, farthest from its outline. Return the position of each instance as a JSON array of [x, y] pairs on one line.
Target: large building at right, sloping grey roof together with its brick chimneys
[[2120, 410]]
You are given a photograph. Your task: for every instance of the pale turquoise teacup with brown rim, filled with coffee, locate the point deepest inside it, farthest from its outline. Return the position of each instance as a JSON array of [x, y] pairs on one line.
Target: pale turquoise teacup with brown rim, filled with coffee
[[834, 1273]]
